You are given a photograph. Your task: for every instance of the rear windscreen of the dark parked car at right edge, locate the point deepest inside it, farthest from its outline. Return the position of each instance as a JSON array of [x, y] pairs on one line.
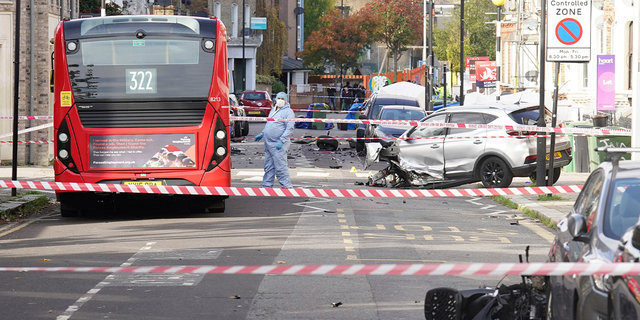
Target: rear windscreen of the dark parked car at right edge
[[623, 207]]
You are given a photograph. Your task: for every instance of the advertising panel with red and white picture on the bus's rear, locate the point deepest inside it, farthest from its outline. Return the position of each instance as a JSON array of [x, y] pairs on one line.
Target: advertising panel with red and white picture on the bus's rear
[[144, 150]]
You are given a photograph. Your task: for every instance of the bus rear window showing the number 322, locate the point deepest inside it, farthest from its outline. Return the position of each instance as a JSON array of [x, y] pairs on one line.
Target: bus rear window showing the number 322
[[131, 69]]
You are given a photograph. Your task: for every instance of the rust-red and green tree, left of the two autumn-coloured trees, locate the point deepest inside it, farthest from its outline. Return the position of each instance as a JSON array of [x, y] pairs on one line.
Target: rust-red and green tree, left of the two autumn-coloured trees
[[342, 40]]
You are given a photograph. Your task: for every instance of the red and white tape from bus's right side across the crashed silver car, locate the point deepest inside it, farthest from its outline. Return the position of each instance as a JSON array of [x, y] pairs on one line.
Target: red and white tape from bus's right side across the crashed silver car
[[413, 123]]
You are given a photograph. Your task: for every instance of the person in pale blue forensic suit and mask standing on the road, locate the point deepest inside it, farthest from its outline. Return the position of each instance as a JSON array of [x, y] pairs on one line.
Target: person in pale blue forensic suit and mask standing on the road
[[276, 143]]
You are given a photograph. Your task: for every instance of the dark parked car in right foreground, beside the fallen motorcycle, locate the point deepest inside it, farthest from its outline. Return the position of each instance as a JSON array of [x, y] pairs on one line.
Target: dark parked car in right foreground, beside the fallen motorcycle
[[606, 207]]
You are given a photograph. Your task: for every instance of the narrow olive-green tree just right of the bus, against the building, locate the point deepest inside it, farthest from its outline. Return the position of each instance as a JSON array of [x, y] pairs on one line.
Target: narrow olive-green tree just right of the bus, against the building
[[274, 44]]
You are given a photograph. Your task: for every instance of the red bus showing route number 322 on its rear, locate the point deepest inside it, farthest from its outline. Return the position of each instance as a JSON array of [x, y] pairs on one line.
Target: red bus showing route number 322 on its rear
[[141, 100]]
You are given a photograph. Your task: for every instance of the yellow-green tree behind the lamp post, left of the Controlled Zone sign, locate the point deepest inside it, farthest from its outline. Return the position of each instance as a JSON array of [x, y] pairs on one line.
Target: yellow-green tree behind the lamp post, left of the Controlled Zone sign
[[479, 39]]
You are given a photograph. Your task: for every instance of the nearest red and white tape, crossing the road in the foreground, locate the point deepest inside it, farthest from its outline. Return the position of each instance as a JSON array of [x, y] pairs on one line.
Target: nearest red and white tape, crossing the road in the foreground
[[426, 269]]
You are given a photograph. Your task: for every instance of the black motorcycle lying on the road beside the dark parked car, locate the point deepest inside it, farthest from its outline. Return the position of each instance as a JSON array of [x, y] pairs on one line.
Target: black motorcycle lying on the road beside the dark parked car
[[524, 300]]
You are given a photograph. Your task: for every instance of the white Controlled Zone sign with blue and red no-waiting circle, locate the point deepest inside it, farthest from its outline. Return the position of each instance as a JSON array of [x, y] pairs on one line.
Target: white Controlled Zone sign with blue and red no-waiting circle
[[569, 31]]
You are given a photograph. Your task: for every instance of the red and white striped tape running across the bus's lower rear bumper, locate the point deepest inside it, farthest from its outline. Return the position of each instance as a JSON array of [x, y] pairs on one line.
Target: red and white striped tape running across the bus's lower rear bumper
[[274, 192]]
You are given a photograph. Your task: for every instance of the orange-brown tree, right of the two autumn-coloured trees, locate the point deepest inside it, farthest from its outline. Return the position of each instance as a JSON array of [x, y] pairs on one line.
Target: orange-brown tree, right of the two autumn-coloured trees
[[401, 25]]
